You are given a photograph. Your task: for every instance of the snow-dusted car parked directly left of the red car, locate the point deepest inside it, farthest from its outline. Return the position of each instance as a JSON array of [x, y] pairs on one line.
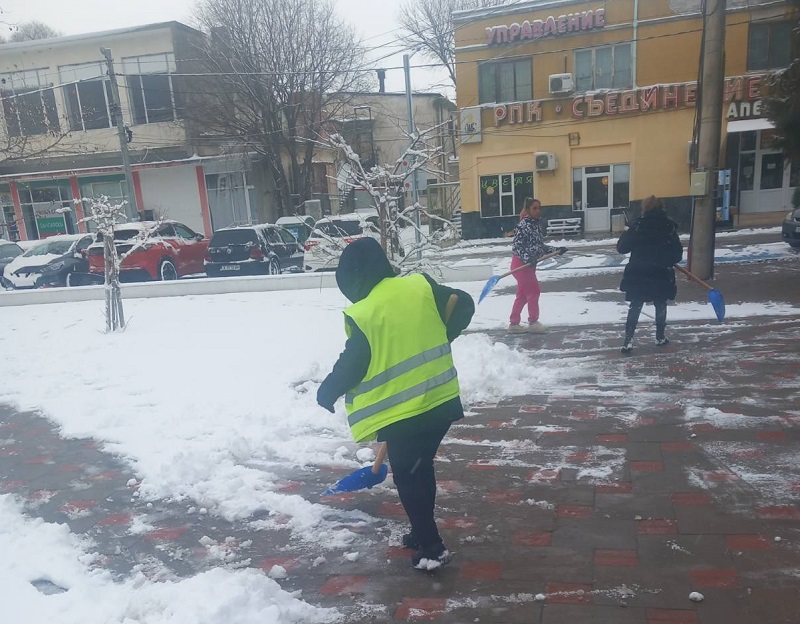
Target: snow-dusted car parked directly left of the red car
[[49, 262]]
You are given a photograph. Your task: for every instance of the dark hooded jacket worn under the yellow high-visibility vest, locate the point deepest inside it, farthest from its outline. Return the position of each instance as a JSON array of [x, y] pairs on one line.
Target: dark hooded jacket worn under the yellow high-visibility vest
[[362, 266]]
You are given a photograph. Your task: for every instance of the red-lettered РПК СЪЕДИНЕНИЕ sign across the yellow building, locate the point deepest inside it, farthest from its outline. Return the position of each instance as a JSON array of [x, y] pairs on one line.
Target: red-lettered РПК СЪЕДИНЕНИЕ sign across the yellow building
[[741, 95]]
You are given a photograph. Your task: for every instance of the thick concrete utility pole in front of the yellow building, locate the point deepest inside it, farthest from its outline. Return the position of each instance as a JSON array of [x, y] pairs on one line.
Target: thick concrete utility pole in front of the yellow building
[[701, 242]]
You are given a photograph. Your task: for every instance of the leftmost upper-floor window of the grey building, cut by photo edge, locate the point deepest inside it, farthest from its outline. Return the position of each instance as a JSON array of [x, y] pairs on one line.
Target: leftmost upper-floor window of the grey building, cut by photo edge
[[29, 103]]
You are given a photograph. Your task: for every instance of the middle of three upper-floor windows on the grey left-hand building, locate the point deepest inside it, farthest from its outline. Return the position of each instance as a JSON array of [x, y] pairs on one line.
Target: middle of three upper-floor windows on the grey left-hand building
[[87, 93]]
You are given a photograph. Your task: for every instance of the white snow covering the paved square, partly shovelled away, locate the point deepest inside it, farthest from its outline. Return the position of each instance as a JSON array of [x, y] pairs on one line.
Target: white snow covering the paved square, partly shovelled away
[[199, 394]]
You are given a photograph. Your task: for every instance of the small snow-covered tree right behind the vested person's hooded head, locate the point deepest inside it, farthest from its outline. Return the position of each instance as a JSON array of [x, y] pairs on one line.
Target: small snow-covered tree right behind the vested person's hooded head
[[386, 185]]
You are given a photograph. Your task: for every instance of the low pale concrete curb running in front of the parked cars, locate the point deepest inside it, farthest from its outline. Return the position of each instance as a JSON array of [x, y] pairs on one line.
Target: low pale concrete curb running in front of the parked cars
[[216, 286]]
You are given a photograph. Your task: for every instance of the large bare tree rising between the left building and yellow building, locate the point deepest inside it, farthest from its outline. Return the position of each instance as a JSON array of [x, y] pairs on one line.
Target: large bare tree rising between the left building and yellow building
[[276, 68]]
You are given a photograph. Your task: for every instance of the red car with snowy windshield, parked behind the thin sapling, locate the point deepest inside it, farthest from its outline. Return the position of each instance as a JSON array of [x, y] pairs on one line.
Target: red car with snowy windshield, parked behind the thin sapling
[[170, 250]]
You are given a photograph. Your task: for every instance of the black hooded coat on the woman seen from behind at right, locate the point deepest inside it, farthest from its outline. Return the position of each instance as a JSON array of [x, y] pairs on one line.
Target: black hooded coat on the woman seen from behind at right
[[654, 245]]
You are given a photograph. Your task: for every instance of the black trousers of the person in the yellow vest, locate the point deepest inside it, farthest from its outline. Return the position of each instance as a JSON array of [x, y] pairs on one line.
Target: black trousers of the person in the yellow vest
[[411, 456]]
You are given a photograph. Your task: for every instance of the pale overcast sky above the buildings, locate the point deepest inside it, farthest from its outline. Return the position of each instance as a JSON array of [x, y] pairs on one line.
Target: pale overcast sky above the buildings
[[375, 20]]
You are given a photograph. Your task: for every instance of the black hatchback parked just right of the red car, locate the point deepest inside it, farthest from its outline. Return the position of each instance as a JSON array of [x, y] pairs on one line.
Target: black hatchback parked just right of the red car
[[253, 250]]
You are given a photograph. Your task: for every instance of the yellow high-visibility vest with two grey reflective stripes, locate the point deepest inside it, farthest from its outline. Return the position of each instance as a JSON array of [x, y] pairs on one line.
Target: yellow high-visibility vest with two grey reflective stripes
[[411, 367]]
